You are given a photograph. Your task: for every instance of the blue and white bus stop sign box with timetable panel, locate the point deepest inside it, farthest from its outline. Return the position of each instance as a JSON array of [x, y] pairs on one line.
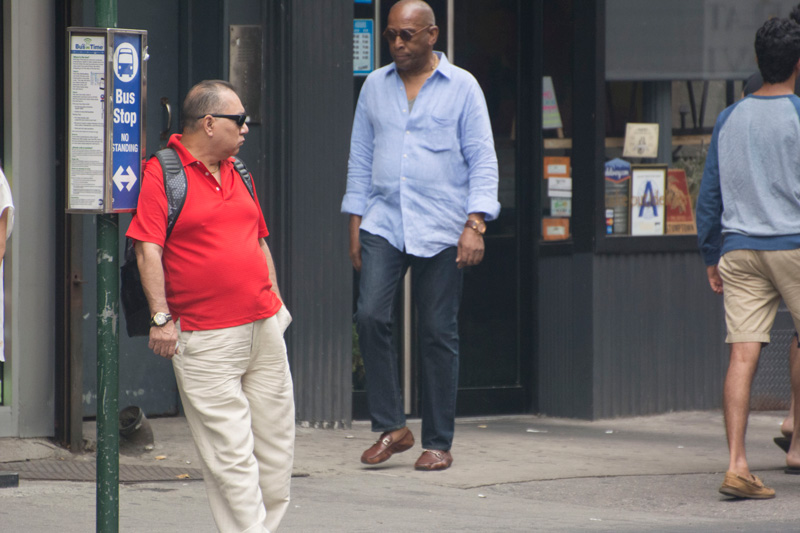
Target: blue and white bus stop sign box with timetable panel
[[107, 94]]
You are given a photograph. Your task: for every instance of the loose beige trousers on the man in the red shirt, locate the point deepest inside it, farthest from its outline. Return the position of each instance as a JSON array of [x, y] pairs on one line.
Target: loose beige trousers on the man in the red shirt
[[236, 389]]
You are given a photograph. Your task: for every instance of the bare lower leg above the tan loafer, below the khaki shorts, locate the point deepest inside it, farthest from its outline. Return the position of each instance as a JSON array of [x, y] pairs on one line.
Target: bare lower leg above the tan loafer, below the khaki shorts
[[736, 399]]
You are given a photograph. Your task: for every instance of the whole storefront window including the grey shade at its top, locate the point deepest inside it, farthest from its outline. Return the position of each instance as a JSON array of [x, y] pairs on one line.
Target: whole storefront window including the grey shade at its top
[[670, 70]]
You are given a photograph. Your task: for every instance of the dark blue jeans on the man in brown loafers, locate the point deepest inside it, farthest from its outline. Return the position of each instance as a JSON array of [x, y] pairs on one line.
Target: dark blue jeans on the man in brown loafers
[[436, 289]]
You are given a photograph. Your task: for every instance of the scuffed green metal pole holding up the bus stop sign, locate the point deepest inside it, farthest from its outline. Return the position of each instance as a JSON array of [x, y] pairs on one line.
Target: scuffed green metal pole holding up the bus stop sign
[[107, 494]]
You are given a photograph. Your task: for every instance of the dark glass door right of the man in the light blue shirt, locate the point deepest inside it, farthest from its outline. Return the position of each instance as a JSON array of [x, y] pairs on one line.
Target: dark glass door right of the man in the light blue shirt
[[484, 42]]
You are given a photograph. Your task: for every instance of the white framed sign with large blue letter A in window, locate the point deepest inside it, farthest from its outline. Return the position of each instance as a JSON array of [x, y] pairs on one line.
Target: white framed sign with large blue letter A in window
[[648, 186]]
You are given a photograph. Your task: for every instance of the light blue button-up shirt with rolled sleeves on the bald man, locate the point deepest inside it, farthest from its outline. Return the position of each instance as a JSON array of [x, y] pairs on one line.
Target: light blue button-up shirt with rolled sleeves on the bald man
[[415, 176]]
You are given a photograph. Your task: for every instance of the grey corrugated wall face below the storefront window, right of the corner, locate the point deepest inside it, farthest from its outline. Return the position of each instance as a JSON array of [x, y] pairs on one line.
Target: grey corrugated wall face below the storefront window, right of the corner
[[659, 335]]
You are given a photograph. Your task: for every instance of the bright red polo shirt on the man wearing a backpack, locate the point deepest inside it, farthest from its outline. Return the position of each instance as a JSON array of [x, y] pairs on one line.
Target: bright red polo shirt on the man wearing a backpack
[[215, 273]]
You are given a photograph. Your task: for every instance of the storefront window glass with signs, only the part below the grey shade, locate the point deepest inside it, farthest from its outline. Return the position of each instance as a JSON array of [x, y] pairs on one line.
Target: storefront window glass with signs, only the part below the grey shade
[[653, 193]]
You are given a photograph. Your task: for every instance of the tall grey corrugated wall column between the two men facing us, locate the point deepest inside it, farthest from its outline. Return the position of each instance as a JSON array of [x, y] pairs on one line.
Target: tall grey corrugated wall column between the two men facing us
[[319, 280]]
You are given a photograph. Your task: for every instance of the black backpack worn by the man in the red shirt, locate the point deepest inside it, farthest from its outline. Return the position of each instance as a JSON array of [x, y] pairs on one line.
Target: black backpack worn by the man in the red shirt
[[134, 302]]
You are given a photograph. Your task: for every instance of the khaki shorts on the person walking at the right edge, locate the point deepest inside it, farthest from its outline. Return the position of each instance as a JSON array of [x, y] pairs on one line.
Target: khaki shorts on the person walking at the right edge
[[753, 283]]
